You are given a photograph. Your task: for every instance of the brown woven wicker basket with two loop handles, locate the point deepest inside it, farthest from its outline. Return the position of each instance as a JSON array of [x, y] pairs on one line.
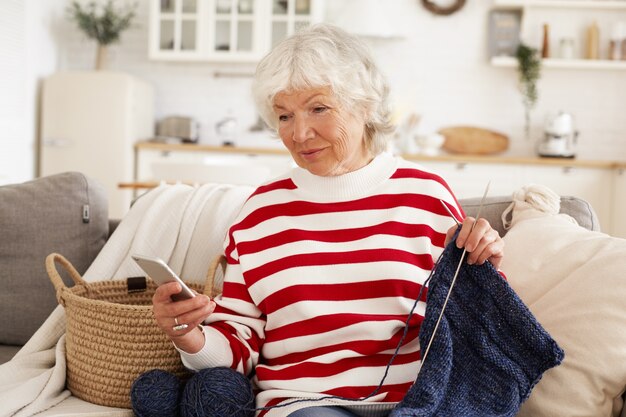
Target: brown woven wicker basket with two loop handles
[[112, 336]]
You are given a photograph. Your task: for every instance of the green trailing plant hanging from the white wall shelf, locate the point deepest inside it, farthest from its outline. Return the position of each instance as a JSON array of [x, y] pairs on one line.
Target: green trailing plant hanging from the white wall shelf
[[529, 71]]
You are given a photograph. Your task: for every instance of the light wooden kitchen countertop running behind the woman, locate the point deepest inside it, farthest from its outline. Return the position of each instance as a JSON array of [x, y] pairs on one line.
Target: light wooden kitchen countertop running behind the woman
[[443, 157]]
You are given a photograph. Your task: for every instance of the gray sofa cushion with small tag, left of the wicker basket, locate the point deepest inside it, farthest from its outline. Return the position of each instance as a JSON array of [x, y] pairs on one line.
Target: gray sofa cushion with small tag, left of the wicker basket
[[36, 218]]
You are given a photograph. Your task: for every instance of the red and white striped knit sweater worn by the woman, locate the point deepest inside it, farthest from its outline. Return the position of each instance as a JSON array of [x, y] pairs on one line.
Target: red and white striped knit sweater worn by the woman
[[322, 274]]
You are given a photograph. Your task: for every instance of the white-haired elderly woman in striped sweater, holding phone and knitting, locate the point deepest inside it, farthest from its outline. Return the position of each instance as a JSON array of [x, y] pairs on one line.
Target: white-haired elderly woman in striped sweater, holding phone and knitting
[[325, 262]]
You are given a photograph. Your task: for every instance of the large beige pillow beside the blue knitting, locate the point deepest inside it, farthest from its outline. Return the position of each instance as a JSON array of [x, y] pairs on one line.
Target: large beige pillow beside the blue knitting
[[574, 281]]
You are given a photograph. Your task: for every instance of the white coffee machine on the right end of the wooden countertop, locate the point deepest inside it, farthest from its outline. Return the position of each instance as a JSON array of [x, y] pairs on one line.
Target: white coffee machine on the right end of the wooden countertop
[[559, 137]]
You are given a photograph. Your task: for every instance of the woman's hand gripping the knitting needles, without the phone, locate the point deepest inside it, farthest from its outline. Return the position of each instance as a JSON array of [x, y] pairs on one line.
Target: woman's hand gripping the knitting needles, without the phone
[[482, 242]]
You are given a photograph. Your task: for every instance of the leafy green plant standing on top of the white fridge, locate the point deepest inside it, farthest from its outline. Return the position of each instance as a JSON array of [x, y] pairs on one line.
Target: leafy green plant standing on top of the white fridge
[[103, 23]]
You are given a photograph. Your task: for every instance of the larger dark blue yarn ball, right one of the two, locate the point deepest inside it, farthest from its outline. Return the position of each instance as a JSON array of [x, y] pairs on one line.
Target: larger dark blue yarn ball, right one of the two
[[217, 392]]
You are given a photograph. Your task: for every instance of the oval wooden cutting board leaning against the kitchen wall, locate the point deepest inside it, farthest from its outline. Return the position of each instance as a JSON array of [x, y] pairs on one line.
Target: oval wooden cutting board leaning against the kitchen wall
[[473, 140]]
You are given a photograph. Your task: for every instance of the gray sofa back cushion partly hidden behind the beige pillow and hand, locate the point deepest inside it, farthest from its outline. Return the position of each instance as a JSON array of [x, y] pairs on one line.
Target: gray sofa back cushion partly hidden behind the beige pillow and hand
[[578, 208]]
